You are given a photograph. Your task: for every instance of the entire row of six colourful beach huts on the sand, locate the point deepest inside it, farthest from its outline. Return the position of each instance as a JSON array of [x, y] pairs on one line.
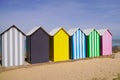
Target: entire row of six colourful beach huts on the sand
[[59, 45]]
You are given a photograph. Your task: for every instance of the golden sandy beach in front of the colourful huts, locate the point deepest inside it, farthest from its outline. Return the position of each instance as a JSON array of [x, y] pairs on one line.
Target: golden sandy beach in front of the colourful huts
[[90, 69]]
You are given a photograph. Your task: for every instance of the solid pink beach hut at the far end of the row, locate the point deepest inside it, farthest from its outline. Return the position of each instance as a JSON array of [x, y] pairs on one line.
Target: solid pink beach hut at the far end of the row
[[105, 42]]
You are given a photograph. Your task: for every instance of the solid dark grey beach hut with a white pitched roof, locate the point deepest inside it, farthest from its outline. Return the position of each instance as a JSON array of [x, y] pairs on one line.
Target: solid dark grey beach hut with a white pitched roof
[[37, 45]]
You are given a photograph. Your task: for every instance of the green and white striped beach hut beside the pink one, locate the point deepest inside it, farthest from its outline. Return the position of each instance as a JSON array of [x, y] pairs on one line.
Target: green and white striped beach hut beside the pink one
[[93, 42]]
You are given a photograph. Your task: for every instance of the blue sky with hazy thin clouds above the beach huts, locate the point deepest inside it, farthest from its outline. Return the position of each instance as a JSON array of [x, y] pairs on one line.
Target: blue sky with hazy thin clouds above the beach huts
[[50, 14]]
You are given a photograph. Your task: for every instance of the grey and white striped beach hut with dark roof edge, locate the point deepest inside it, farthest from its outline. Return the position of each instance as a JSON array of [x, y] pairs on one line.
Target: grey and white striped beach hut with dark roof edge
[[13, 47]]
